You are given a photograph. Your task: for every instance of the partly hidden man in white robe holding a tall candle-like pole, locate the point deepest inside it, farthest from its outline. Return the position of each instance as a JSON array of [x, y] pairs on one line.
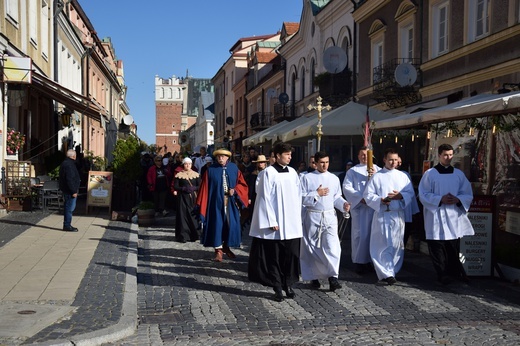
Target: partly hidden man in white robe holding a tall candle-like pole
[[361, 220]]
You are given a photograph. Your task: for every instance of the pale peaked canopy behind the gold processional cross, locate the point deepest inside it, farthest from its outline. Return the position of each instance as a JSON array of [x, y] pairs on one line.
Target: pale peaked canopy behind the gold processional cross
[[347, 120]]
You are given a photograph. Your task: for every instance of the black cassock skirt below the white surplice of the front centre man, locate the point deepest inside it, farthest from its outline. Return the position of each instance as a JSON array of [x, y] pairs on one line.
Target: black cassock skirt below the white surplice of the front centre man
[[274, 263]]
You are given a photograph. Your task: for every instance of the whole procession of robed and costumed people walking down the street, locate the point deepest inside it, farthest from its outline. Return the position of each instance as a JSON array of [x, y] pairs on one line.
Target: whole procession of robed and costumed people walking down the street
[[296, 217]]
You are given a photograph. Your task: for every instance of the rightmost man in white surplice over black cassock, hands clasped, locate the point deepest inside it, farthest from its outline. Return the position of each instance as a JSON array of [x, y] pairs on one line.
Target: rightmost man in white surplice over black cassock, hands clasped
[[446, 195]]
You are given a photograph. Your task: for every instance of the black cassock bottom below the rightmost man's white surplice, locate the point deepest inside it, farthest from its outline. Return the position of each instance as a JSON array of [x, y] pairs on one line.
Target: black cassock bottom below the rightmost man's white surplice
[[445, 258]]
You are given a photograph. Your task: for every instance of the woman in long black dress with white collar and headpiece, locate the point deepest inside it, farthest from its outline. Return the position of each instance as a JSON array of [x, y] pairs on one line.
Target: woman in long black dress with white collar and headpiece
[[186, 184]]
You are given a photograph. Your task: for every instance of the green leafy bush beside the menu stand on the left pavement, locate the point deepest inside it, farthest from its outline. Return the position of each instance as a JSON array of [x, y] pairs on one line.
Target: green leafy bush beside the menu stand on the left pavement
[[127, 156]]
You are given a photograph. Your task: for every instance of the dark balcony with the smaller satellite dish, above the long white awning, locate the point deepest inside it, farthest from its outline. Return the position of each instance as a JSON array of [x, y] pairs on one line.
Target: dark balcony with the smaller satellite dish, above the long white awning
[[386, 88]]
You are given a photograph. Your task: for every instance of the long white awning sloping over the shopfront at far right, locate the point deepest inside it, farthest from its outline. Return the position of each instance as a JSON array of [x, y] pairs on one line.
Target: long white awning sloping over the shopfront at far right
[[476, 106]]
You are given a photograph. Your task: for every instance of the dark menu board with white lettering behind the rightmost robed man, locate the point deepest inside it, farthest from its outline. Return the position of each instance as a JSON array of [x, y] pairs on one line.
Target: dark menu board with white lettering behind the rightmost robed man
[[476, 250]]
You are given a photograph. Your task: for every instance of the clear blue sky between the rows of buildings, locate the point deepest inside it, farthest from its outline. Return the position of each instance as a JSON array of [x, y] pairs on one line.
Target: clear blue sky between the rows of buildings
[[168, 37]]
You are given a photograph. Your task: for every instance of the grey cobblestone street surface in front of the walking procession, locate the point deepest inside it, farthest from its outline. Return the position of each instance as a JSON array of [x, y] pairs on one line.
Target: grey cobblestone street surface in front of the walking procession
[[184, 298]]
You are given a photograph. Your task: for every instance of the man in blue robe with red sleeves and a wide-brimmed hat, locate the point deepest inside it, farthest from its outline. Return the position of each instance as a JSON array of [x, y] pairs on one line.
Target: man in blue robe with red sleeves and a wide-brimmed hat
[[223, 192]]
